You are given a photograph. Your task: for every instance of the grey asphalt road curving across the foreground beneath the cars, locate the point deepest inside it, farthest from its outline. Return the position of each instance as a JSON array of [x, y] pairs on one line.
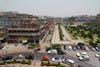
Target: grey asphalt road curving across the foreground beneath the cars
[[38, 55]]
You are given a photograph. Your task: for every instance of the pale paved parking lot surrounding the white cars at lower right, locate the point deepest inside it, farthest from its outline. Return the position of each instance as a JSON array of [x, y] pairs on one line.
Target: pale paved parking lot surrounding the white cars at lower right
[[93, 60]]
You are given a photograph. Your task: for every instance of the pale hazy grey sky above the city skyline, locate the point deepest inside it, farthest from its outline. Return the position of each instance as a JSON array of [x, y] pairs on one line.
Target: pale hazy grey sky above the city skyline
[[52, 7]]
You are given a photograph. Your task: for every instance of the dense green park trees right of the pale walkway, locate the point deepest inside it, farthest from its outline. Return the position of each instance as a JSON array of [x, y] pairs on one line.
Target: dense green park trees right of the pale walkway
[[86, 31]]
